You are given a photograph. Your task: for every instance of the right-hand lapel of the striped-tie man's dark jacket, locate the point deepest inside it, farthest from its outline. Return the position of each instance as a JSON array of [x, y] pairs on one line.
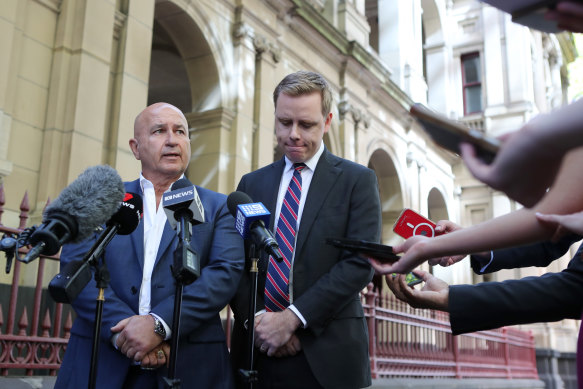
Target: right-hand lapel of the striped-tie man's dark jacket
[[324, 178]]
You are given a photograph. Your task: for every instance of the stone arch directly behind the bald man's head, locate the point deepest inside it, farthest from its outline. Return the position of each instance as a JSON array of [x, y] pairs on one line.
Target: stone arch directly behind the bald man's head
[[188, 53]]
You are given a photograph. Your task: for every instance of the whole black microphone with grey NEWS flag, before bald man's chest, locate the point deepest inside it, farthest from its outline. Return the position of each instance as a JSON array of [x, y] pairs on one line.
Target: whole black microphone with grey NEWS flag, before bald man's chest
[[183, 209]]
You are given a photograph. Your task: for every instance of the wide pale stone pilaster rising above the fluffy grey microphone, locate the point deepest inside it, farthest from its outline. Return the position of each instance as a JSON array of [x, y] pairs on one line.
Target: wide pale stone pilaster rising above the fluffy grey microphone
[[78, 99]]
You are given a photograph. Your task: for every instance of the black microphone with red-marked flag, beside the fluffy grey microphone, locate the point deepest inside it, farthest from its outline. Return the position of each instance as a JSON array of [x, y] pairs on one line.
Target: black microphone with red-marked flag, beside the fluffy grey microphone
[[66, 286]]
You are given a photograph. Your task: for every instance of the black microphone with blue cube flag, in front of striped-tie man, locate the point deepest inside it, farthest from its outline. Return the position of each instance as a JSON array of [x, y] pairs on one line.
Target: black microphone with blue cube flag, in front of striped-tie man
[[250, 220]]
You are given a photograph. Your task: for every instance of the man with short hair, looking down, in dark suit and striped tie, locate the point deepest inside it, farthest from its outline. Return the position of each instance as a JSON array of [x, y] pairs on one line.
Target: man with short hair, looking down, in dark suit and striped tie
[[310, 325]]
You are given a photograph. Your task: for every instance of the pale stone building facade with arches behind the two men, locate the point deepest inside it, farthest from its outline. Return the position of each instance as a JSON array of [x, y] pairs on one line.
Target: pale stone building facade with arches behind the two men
[[74, 74]]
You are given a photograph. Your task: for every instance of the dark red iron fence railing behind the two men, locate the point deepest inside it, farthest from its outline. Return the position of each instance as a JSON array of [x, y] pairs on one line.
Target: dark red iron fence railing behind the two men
[[403, 342]]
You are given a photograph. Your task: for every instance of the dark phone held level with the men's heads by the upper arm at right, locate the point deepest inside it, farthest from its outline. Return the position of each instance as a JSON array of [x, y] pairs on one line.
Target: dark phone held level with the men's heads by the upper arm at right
[[449, 134]]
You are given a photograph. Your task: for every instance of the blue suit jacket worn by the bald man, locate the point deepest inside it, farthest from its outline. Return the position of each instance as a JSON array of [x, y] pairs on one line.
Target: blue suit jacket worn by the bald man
[[202, 353]]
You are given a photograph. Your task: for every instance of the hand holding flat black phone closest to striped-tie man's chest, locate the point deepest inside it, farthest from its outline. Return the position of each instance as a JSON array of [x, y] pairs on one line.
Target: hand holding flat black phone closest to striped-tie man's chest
[[414, 247]]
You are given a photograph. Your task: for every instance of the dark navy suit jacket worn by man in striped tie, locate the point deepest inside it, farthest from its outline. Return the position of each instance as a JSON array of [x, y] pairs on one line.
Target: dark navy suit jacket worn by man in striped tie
[[343, 201]]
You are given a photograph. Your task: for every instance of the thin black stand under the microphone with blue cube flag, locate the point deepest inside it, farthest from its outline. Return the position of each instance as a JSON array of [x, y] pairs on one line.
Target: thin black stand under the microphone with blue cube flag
[[250, 375]]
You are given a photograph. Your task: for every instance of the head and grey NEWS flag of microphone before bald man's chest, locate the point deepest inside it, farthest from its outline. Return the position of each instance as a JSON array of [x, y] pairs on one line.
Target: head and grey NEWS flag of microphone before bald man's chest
[[183, 199]]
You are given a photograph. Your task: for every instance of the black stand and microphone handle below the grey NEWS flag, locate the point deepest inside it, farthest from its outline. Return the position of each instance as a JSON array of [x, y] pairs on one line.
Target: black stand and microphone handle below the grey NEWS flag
[[185, 270]]
